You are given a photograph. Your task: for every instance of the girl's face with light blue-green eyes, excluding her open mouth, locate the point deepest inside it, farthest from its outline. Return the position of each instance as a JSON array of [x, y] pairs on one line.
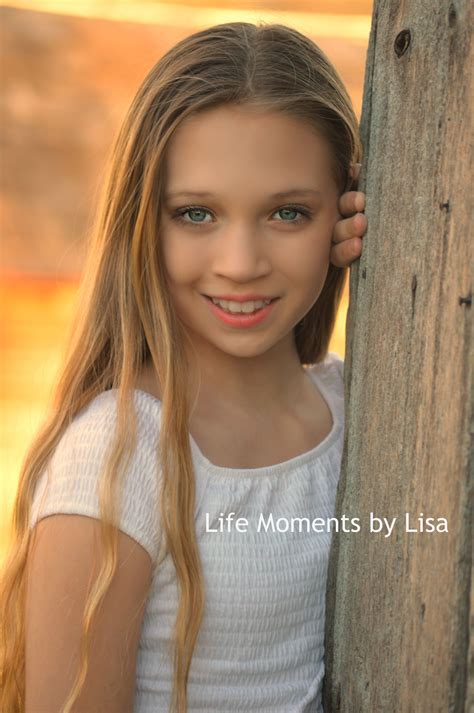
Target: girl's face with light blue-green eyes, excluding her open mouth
[[249, 208]]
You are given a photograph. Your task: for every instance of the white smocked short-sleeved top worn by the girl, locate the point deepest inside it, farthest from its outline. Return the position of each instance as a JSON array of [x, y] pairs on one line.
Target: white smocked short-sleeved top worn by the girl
[[261, 643]]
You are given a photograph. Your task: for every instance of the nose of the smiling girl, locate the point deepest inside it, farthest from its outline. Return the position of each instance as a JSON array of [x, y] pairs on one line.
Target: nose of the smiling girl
[[241, 254]]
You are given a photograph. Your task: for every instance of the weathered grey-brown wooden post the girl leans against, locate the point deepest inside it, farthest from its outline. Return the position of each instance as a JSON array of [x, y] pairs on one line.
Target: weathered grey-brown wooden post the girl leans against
[[397, 628]]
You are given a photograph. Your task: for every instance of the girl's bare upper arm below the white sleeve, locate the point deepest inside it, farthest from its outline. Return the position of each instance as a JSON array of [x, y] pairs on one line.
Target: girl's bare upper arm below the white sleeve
[[60, 565]]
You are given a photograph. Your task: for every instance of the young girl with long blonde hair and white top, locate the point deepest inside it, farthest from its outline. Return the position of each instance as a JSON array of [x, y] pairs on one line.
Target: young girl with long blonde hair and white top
[[170, 537]]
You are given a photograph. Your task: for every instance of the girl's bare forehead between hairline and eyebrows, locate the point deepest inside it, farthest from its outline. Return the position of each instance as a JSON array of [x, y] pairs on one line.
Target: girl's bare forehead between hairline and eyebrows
[[229, 143]]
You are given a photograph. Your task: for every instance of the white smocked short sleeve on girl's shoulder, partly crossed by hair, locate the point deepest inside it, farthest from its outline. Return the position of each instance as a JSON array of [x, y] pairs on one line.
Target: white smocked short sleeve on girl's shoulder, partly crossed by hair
[[70, 481]]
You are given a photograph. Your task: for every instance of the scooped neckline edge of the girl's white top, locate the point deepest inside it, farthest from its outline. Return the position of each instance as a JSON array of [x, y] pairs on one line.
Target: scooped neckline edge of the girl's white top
[[284, 466]]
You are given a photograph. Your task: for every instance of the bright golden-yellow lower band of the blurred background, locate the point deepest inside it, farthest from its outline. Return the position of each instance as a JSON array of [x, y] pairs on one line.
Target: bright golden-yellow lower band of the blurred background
[[39, 314]]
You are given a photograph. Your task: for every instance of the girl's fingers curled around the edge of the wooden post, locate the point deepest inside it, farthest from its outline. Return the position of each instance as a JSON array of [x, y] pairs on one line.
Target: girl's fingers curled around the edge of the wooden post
[[348, 232]]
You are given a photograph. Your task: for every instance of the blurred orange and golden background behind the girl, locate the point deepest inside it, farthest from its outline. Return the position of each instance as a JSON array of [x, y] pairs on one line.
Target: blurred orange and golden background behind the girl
[[69, 71]]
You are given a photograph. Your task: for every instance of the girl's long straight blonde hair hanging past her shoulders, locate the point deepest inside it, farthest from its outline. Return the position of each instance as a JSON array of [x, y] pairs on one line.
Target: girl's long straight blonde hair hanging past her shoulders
[[124, 315]]
